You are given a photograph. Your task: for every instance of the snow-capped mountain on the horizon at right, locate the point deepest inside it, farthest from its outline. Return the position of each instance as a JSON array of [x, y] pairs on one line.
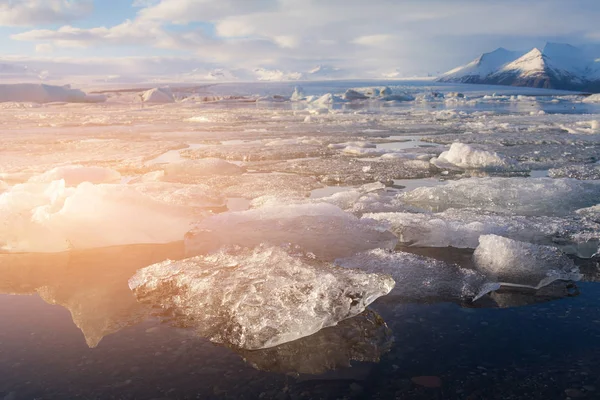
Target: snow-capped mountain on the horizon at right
[[556, 66]]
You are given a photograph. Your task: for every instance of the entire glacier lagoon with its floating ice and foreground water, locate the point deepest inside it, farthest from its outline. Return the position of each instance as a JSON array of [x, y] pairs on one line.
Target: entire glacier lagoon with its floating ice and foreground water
[[400, 240]]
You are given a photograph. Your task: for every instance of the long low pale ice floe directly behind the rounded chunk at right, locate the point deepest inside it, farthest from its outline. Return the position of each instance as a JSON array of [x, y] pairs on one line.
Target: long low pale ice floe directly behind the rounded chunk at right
[[461, 228]]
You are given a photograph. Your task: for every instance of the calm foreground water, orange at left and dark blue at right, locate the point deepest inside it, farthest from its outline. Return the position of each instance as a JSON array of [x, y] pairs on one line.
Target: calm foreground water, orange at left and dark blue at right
[[71, 329]]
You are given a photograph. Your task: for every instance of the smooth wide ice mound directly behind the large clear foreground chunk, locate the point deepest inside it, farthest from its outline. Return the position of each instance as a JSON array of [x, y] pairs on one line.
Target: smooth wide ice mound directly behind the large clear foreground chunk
[[322, 229]]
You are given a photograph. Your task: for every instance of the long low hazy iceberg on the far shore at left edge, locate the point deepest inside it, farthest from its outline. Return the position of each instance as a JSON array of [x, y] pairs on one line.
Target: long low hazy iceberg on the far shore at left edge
[[41, 93]]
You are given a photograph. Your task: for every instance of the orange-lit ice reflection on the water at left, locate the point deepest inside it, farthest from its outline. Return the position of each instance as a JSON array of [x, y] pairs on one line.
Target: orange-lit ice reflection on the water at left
[[91, 284]]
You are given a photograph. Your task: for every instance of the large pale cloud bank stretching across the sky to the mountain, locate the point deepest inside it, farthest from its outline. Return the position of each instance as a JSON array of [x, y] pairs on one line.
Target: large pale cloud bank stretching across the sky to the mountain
[[375, 36]]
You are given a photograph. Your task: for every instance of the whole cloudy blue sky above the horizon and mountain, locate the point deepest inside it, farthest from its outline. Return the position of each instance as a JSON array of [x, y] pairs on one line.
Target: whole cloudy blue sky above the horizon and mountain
[[277, 39]]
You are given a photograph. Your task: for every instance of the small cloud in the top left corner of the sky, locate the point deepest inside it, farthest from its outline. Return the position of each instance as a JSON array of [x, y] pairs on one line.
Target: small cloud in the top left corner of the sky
[[39, 12]]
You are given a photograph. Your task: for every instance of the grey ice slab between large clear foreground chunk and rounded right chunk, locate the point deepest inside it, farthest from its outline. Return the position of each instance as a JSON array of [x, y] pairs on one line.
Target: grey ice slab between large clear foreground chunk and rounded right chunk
[[422, 278]]
